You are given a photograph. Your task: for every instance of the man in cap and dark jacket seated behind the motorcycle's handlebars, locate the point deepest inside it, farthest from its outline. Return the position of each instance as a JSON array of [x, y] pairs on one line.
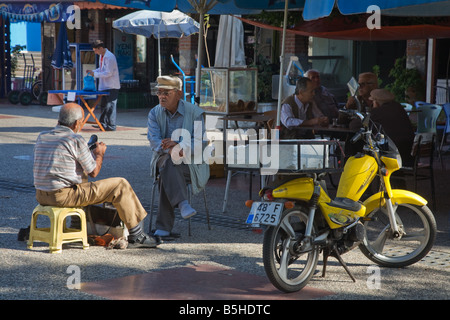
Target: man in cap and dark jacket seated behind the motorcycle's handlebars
[[395, 122]]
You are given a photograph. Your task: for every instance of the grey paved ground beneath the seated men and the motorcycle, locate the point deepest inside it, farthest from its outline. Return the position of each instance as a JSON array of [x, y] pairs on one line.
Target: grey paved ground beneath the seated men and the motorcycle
[[228, 249]]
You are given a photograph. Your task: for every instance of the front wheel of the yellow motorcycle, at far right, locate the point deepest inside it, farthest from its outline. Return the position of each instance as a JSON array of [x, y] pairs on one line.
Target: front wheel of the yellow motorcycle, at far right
[[418, 228]]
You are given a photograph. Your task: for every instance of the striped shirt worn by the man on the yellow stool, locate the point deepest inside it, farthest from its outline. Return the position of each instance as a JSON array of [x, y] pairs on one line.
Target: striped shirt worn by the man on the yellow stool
[[60, 158]]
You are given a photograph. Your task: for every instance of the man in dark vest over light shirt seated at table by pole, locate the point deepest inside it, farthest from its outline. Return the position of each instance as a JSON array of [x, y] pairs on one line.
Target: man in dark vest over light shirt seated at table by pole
[[299, 110]]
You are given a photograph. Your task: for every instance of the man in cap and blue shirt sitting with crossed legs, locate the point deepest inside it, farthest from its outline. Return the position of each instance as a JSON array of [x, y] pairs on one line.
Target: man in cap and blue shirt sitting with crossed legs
[[175, 130]]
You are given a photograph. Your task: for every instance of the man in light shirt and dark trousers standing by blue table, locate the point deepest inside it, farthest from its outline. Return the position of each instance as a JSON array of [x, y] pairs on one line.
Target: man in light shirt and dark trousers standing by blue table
[[108, 75]]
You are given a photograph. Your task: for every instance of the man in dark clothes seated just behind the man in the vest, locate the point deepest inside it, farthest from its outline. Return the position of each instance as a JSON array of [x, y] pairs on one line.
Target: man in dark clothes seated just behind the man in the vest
[[323, 98]]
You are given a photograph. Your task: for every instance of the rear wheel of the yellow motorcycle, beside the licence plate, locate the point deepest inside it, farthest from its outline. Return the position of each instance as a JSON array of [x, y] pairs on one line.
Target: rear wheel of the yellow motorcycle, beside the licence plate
[[288, 267]]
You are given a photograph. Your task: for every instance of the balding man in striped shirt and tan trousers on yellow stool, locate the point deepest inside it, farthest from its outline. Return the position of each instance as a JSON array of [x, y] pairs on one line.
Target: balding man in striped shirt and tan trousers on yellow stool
[[61, 160]]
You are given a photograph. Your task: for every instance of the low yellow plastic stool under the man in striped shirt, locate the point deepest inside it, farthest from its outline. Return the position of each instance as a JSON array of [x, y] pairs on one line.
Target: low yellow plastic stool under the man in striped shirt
[[58, 233]]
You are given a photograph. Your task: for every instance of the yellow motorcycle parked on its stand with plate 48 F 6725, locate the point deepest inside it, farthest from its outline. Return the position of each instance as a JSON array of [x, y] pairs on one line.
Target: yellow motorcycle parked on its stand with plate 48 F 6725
[[393, 227]]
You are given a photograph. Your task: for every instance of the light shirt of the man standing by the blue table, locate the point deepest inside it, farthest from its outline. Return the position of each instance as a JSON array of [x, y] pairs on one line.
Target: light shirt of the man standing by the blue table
[[108, 73]]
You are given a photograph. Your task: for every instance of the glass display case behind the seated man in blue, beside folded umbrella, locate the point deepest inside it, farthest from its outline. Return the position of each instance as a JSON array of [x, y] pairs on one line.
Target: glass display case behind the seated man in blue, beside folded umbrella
[[228, 90]]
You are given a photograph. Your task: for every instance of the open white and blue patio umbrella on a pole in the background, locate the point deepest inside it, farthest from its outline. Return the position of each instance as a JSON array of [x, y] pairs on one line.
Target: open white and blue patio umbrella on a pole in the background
[[158, 24]]
